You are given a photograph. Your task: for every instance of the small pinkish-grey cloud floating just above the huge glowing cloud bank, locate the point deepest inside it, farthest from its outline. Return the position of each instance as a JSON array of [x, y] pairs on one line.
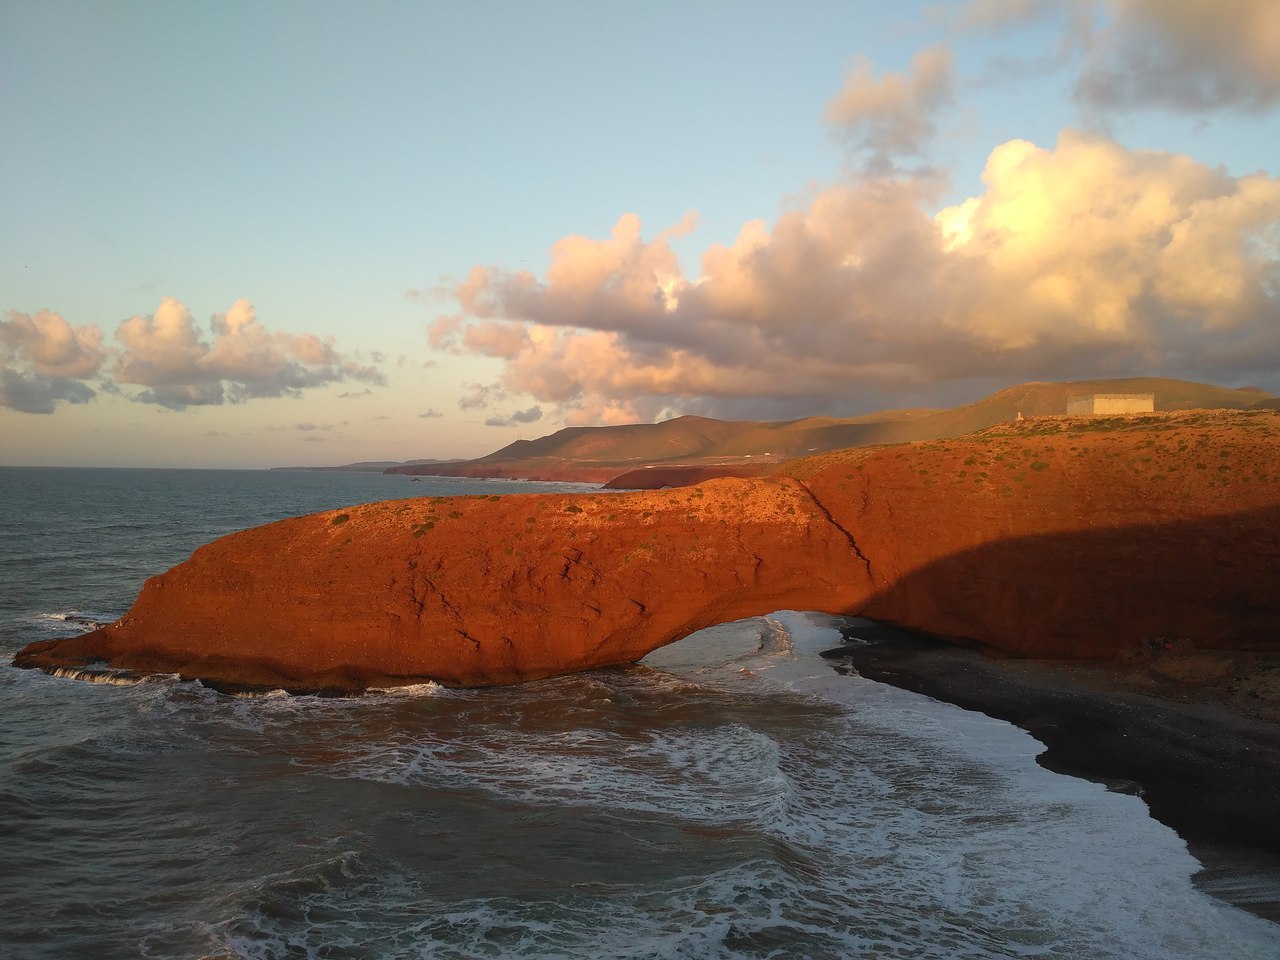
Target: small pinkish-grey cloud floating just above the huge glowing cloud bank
[[894, 116]]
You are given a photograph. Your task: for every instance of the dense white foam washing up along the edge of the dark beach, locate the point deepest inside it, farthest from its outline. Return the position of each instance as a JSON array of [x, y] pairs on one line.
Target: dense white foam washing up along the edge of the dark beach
[[991, 835]]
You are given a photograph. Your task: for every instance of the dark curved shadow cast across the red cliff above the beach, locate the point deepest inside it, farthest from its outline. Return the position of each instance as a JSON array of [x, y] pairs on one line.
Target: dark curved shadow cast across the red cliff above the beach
[[1208, 583]]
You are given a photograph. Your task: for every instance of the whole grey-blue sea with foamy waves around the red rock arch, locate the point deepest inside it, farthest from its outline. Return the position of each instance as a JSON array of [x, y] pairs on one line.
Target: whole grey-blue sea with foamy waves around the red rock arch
[[732, 797]]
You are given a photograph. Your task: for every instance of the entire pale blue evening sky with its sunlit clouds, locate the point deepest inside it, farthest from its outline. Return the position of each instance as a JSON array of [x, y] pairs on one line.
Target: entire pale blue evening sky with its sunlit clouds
[[249, 235]]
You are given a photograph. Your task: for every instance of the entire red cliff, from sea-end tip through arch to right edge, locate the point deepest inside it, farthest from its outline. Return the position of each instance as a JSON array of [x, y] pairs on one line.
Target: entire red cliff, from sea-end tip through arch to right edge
[[1050, 538]]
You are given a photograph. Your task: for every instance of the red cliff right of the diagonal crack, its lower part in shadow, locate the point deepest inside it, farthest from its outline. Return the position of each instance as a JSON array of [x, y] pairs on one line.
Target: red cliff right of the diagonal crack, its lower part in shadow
[[1073, 538]]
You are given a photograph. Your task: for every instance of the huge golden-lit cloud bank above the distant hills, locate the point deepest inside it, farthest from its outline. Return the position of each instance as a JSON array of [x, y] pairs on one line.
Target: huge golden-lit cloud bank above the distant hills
[[1081, 259]]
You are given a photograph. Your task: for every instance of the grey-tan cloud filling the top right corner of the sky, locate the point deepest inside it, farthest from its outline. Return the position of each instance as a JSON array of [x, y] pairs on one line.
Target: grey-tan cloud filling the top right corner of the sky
[[1186, 54]]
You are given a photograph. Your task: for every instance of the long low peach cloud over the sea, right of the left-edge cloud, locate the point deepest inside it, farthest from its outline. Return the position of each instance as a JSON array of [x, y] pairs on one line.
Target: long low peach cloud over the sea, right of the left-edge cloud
[[168, 355]]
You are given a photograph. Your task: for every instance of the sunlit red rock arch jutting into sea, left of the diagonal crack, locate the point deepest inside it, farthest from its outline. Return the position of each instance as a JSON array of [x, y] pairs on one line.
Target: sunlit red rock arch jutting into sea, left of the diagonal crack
[[477, 591]]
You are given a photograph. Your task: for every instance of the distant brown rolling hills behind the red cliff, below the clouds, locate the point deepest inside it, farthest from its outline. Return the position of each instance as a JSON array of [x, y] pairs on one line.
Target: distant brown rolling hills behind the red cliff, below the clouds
[[592, 452]]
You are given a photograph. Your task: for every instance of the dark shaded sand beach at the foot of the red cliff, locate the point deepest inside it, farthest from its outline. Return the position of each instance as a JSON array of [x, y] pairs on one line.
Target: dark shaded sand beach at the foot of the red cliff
[[1196, 734]]
